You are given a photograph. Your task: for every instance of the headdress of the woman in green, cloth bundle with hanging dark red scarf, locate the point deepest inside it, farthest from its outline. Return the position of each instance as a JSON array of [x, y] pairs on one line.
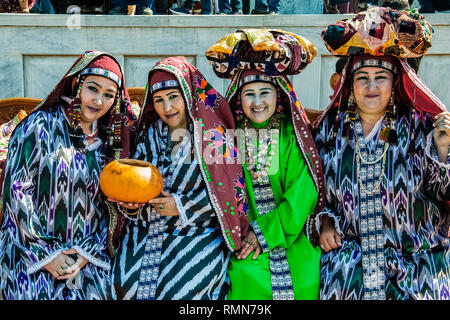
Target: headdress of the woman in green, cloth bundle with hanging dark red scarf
[[270, 55]]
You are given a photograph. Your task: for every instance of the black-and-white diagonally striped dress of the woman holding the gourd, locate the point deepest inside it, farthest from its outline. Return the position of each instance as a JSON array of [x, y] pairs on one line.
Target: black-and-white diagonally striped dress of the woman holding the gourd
[[172, 258]]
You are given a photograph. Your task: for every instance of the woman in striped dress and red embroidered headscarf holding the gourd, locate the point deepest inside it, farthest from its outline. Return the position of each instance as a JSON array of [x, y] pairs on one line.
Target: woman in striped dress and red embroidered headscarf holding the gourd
[[178, 246]]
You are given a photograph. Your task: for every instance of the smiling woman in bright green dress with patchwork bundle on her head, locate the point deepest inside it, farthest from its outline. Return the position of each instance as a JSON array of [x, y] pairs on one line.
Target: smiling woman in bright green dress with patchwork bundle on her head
[[283, 173]]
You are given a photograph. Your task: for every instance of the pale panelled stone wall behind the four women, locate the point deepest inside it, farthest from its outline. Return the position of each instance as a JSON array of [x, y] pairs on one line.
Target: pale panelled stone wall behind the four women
[[36, 50]]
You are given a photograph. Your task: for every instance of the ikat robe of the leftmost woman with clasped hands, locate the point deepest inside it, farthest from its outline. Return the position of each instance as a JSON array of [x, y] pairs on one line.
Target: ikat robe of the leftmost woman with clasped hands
[[52, 202]]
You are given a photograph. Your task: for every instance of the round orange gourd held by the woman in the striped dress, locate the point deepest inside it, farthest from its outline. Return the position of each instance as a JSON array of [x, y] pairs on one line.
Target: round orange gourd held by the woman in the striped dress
[[130, 180]]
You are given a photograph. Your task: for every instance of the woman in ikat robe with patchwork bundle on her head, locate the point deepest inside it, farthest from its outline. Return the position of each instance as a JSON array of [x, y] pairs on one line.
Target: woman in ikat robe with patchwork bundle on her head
[[384, 141]]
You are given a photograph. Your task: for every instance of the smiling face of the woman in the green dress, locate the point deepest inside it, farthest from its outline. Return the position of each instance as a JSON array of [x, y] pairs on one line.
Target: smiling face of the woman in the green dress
[[259, 101]]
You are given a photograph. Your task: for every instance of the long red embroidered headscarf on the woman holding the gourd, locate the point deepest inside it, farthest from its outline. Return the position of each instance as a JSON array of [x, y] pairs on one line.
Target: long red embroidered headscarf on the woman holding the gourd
[[205, 106]]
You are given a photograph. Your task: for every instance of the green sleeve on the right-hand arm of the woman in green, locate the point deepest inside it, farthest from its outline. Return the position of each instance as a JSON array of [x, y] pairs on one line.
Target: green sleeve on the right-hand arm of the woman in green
[[294, 192]]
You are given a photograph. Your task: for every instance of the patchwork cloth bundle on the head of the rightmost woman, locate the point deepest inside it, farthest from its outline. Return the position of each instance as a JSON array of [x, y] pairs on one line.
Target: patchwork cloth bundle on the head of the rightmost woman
[[380, 32]]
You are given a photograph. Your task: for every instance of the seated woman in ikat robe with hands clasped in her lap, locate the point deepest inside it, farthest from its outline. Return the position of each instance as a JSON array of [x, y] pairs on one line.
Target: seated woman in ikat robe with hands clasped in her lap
[[55, 224]]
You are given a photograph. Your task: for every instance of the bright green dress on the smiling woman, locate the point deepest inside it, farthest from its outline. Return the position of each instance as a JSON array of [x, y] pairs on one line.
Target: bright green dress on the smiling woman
[[295, 198]]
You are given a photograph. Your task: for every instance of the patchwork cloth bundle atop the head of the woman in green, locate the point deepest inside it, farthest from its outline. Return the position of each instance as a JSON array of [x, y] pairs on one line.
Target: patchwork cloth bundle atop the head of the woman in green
[[274, 52]]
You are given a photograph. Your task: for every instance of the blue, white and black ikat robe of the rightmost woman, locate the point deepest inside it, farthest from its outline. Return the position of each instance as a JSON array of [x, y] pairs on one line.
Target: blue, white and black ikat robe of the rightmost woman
[[414, 190]]
